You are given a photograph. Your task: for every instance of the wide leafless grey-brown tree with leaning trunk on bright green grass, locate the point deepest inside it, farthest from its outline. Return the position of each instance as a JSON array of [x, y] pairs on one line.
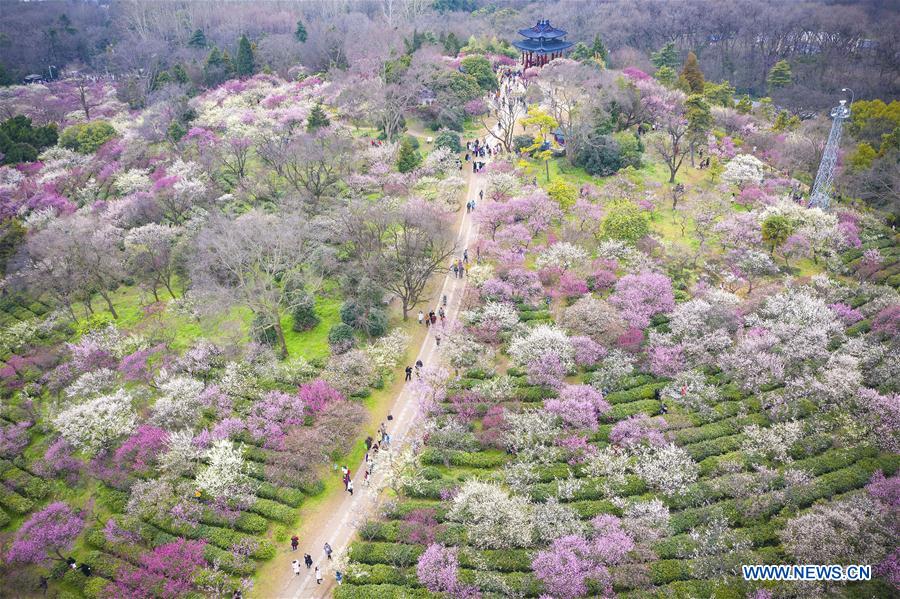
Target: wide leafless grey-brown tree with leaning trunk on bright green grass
[[250, 261]]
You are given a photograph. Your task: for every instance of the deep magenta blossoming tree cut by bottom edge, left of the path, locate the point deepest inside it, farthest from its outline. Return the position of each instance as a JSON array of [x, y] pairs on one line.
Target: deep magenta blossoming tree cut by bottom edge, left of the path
[[166, 572]]
